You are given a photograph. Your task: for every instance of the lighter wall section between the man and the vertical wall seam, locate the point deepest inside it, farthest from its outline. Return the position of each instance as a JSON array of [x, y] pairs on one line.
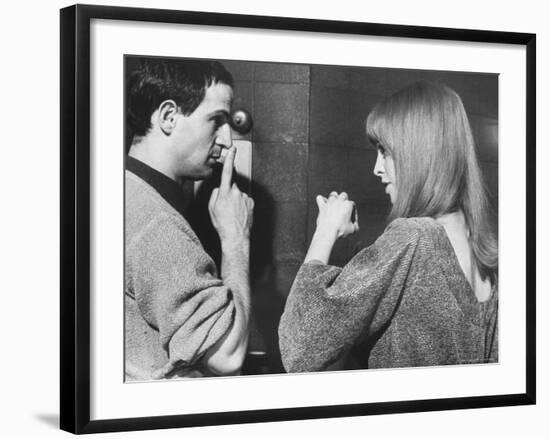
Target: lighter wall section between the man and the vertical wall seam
[[278, 96]]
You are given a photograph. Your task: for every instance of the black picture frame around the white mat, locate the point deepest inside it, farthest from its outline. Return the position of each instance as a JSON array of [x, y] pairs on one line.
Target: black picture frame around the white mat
[[76, 211]]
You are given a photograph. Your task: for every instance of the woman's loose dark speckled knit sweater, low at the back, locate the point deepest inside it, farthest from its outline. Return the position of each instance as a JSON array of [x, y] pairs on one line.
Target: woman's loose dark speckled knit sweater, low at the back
[[404, 301]]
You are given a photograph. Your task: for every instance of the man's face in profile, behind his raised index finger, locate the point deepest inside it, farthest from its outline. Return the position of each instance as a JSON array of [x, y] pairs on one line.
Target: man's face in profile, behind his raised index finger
[[199, 138]]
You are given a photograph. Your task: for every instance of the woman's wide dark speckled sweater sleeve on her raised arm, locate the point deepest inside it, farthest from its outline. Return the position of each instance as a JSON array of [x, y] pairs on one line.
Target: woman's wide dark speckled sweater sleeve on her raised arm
[[328, 308]]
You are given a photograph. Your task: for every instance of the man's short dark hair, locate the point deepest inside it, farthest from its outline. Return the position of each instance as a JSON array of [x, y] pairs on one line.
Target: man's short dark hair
[[156, 80]]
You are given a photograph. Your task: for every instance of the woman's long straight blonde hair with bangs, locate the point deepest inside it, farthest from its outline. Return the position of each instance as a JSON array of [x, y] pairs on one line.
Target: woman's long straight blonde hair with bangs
[[425, 129]]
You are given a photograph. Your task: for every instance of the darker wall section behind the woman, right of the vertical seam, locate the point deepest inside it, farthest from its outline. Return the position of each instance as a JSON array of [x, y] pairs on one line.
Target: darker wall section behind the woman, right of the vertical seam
[[342, 159]]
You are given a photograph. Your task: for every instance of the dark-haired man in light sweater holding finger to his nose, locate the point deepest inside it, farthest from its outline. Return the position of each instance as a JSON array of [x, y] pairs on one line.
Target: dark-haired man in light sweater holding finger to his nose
[[181, 318]]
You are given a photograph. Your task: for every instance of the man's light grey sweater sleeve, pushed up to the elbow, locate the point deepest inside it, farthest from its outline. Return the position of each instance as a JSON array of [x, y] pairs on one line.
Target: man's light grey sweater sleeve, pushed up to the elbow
[[177, 290]]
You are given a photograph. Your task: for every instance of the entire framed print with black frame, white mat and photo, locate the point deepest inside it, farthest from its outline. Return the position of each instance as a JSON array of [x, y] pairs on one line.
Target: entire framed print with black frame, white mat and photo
[[369, 248]]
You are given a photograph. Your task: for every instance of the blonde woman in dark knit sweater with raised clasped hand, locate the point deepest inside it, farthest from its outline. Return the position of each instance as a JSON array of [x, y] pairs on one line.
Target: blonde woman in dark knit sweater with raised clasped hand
[[425, 293]]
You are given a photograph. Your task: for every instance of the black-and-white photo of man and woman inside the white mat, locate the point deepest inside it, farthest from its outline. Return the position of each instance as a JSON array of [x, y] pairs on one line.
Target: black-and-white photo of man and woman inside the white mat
[[284, 218]]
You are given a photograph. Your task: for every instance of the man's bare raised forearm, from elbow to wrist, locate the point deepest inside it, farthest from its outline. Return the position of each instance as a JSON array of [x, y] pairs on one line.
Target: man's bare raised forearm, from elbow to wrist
[[227, 356]]
